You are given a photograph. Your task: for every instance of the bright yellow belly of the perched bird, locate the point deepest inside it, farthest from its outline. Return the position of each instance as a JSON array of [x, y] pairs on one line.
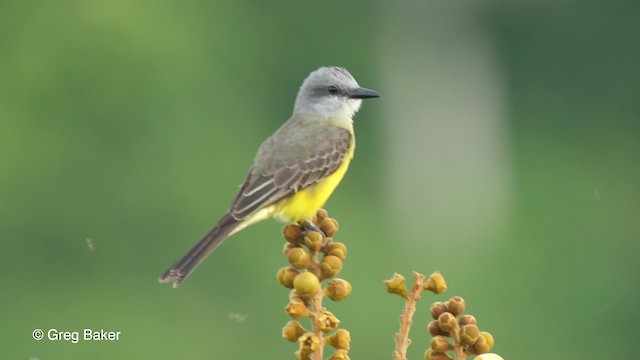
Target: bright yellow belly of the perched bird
[[306, 202]]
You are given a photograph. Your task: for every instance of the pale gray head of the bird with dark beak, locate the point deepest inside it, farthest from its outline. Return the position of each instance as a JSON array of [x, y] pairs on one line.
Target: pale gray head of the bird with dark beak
[[331, 92]]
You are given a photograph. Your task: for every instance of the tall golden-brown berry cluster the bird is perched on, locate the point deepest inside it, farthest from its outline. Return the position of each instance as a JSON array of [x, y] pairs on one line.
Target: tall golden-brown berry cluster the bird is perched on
[[314, 257]]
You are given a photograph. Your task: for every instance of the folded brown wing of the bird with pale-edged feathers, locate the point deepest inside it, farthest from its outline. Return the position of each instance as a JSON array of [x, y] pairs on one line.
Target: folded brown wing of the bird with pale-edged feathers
[[289, 168]]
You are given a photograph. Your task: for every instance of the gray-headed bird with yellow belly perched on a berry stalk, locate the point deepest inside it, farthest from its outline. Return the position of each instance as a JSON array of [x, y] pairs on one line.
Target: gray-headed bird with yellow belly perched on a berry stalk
[[296, 169]]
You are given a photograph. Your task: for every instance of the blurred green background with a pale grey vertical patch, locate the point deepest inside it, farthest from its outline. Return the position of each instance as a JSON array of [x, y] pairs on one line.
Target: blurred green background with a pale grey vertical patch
[[504, 153]]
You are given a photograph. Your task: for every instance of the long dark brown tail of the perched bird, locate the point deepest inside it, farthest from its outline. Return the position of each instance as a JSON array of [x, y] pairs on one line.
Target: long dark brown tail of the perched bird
[[183, 267]]
